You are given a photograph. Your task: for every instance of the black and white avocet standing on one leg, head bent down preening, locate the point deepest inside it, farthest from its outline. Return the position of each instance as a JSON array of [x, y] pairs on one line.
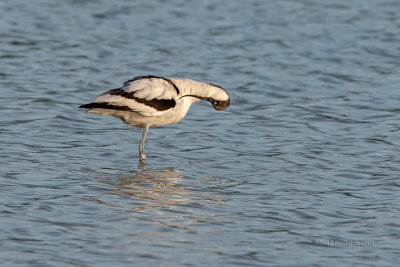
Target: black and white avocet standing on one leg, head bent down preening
[[151, 101]]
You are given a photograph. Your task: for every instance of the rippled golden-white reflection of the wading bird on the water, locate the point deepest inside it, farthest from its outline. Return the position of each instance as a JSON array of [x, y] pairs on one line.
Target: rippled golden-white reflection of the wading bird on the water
[[165, 198]]
